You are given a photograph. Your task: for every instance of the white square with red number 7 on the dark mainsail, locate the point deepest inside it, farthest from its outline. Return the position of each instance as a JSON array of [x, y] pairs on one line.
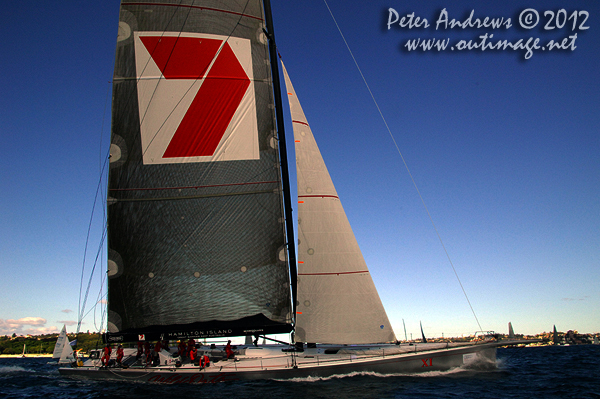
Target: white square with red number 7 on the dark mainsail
[[190, 90]]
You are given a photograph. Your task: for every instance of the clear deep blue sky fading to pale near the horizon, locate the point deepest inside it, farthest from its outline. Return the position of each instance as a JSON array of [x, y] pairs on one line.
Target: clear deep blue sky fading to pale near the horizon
[[504, 150]]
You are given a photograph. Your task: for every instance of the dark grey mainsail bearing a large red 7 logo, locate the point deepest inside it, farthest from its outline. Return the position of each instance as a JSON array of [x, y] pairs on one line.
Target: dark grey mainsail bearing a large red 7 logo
[[196, 231]]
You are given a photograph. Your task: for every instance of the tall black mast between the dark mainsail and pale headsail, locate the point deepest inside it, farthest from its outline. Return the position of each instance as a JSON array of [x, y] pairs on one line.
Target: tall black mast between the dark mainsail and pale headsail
[[287, 201]]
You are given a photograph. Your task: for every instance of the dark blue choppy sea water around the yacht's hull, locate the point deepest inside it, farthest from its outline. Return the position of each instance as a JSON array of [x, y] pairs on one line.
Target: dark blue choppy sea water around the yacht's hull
[[542, 372]]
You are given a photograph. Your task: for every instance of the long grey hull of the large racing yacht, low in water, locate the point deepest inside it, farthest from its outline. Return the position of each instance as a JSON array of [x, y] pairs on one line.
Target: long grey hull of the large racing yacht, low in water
[[275, 364]]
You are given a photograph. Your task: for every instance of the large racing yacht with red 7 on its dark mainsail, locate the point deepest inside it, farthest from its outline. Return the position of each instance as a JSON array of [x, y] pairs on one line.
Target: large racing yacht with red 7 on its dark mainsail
[[200, 230]]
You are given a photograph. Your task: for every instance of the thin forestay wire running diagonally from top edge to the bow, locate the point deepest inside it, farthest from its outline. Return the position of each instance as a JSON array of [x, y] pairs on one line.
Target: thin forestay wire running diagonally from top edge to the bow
[[405, 164]]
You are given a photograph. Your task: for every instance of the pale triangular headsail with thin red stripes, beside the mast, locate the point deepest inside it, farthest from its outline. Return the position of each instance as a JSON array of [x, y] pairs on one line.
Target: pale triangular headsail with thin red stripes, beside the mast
[[337, 300]]
